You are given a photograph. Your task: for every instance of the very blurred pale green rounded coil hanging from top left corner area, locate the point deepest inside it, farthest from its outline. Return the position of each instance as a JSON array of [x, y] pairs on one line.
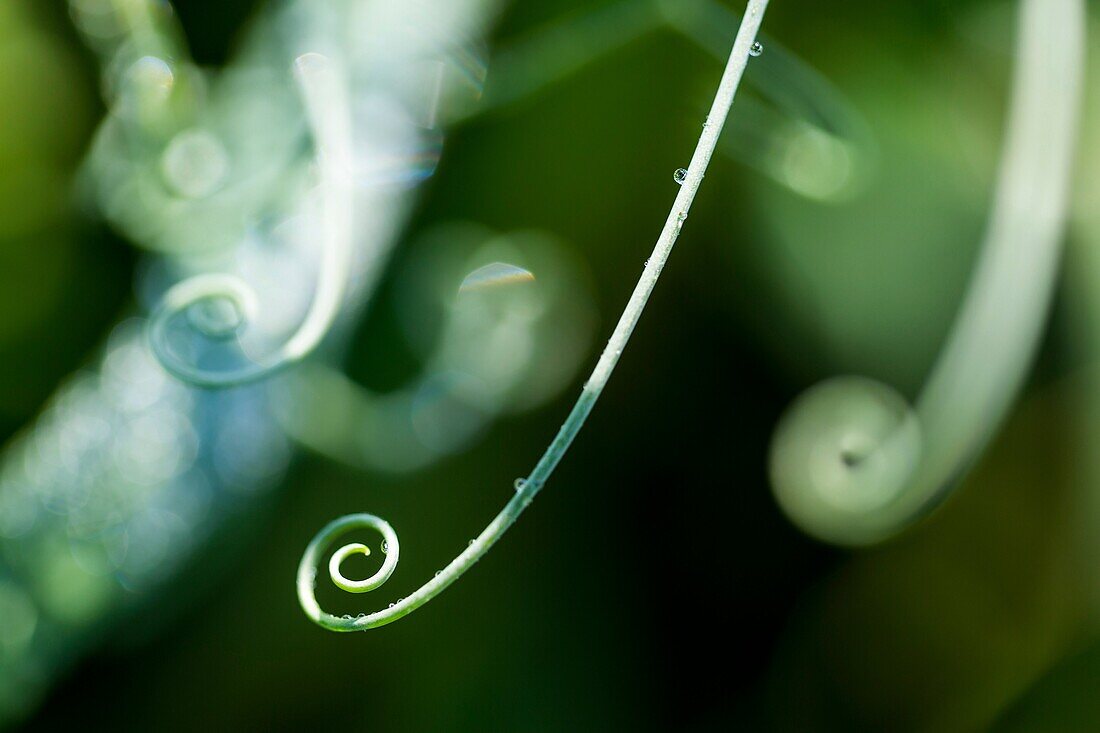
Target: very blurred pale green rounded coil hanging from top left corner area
[[179, 162]]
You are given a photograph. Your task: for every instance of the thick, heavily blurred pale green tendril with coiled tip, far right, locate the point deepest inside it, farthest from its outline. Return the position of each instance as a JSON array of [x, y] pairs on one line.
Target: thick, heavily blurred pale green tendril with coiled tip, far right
[[852, 463]]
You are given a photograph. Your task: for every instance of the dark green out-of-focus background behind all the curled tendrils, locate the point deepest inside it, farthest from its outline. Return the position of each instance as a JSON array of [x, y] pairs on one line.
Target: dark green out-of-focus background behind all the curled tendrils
[[654, 585]]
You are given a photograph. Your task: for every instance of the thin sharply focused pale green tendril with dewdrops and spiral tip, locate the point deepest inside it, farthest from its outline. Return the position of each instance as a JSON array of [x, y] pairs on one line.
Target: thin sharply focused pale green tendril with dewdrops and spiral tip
[[529, 488]]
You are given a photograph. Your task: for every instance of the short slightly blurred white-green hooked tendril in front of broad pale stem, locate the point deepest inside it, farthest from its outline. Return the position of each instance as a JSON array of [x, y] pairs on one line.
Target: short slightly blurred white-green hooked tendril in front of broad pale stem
[[219, 307]]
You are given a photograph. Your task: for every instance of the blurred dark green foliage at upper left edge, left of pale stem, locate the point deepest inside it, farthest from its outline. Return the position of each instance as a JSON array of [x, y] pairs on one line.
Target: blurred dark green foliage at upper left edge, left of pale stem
[[59, 273]]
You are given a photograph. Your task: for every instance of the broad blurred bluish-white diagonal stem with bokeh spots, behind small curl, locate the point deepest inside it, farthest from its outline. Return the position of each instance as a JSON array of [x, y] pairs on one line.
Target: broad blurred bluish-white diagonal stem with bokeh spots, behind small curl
[[129, 474]]
